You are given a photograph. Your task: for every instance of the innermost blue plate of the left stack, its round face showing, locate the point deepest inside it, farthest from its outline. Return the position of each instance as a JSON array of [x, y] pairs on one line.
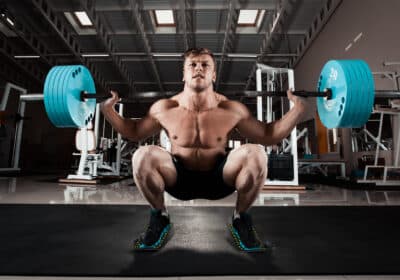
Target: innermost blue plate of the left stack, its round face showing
[[79, 111]]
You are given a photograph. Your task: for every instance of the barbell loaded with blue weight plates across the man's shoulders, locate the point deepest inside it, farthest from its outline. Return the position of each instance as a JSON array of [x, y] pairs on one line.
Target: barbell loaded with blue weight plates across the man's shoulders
[[345, 94]]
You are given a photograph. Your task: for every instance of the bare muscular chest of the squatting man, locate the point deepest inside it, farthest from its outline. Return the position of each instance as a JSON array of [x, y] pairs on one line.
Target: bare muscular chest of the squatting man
[[190, 129]]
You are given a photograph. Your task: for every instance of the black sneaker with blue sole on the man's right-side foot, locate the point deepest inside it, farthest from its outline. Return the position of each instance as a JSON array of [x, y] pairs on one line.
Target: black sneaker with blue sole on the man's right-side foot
[[244, 234]]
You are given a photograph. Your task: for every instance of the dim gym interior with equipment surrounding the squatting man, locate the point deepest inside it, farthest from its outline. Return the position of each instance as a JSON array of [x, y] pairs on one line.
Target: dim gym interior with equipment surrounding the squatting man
[[70, 207]]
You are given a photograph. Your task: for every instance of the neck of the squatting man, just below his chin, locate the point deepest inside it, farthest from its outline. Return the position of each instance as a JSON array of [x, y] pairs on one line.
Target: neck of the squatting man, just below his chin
[[199, 101]]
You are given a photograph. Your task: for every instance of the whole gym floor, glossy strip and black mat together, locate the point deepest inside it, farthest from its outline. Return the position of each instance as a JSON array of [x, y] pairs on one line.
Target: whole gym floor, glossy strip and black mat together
[[342, 234]]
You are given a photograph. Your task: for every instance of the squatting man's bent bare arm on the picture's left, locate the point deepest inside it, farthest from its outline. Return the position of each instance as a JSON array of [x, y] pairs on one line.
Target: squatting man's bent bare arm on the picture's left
[[134, 130]]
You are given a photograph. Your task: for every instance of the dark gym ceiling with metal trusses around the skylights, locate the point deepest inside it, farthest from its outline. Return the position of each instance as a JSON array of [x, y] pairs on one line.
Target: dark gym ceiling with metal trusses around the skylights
[[143, 57]]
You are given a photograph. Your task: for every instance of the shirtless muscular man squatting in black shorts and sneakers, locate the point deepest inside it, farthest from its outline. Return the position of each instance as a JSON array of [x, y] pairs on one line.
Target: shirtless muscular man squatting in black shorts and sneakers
[[198, 121]]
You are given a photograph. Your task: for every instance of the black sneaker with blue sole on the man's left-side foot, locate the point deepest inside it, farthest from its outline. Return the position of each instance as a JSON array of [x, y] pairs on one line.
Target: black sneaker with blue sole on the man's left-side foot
[[156, 233]]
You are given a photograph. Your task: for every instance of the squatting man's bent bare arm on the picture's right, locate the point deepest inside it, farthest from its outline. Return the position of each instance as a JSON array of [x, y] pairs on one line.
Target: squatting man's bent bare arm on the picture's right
[[274, 132]]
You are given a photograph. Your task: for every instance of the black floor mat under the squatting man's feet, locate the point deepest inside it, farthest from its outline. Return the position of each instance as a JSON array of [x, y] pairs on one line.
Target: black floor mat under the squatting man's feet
[[91, 240]]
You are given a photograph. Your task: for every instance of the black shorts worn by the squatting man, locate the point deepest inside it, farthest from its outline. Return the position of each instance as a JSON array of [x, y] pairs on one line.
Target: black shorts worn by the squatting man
[[191, 184]]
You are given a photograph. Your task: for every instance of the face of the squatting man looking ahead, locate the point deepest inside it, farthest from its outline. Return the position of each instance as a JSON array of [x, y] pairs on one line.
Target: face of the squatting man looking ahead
[[199, 72]]
